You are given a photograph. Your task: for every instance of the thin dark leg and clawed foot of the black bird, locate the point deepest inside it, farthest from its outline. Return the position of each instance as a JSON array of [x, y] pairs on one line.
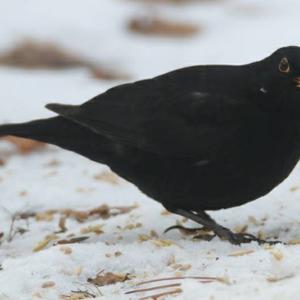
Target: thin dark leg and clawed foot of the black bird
[[222, 232]]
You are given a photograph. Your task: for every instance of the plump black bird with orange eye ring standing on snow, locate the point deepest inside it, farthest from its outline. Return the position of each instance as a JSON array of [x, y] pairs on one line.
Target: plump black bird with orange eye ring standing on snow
[[194, 139]]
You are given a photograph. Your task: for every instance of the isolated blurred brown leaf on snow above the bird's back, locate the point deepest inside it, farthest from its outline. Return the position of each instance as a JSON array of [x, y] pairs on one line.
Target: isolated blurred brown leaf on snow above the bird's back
[[157, 26]]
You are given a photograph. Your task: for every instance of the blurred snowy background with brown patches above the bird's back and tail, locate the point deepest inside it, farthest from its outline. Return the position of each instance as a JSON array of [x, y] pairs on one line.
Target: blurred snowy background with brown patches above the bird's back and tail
[[68, 51]]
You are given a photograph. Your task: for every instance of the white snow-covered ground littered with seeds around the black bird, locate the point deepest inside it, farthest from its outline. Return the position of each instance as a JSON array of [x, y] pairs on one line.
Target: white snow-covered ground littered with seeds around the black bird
[[234, 31]]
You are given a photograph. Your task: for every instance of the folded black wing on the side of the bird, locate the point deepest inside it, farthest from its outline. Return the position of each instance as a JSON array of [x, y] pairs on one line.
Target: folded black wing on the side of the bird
[[178, 124]]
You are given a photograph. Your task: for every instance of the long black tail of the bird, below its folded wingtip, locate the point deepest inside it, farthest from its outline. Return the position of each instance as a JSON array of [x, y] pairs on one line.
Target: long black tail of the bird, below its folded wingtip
[[63, 133]]
